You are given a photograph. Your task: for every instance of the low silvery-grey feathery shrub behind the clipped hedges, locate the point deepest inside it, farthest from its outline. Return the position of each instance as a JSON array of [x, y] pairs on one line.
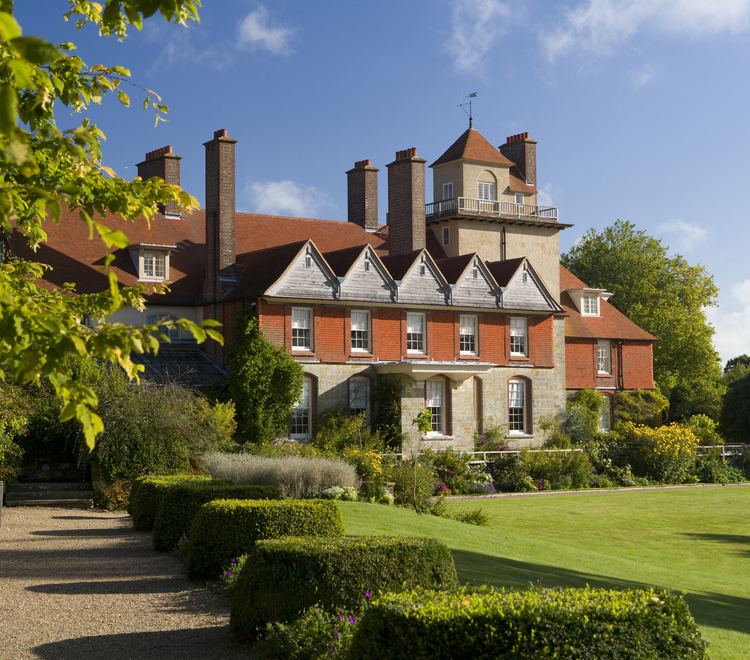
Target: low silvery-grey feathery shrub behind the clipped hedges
[[294, 476]]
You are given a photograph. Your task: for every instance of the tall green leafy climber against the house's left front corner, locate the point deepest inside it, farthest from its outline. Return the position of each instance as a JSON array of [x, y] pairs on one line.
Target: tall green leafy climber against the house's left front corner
[[265, 383]]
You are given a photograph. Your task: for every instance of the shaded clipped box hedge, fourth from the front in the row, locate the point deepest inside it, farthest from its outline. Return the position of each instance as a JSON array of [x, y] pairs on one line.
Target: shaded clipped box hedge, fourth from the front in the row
[[181, 501]]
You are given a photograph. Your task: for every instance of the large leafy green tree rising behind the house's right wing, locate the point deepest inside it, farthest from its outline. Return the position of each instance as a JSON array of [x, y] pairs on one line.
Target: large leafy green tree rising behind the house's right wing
[[666, 296]]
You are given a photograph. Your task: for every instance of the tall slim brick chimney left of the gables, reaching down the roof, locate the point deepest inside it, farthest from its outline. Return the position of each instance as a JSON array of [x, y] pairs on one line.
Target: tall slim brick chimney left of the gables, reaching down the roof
[[220, 206]]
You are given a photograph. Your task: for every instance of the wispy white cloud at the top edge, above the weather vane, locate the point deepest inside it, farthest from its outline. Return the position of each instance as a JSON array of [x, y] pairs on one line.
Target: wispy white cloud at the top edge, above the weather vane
[[475, 26]]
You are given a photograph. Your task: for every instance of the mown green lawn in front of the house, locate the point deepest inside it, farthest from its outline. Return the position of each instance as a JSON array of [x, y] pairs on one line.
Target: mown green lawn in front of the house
[[694, 541]]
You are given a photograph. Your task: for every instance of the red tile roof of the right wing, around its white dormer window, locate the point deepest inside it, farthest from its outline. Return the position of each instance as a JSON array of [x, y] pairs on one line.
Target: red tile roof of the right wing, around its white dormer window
[[610, 324]]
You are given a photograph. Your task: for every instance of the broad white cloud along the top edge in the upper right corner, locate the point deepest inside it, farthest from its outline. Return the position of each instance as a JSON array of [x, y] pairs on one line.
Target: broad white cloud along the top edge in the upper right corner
[[598, 27]]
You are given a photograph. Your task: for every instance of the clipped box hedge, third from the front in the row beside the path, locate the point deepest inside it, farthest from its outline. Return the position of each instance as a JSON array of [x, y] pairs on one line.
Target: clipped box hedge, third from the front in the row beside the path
[[228, 528]]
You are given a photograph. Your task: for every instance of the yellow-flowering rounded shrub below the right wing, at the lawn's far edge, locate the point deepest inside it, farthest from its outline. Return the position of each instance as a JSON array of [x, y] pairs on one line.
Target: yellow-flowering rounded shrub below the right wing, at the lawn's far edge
[[666, 453]]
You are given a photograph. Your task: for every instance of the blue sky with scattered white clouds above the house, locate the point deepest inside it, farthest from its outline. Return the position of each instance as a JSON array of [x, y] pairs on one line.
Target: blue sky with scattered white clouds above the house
[[640, 106]]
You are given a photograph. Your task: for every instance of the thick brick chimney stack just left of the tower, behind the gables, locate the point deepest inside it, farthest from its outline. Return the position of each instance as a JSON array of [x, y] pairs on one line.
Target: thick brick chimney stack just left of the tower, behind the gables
[[406, 213]]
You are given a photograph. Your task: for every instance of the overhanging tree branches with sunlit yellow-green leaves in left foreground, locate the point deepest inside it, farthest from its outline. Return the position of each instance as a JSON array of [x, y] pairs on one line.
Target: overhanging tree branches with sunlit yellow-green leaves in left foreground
[[42, 170]]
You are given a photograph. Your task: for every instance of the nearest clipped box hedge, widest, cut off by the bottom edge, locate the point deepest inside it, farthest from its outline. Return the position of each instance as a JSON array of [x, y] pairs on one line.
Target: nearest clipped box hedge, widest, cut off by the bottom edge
[[538, 623]]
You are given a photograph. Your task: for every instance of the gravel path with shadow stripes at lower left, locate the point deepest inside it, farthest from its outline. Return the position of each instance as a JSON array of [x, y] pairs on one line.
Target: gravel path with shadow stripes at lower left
[[78, 584]]
